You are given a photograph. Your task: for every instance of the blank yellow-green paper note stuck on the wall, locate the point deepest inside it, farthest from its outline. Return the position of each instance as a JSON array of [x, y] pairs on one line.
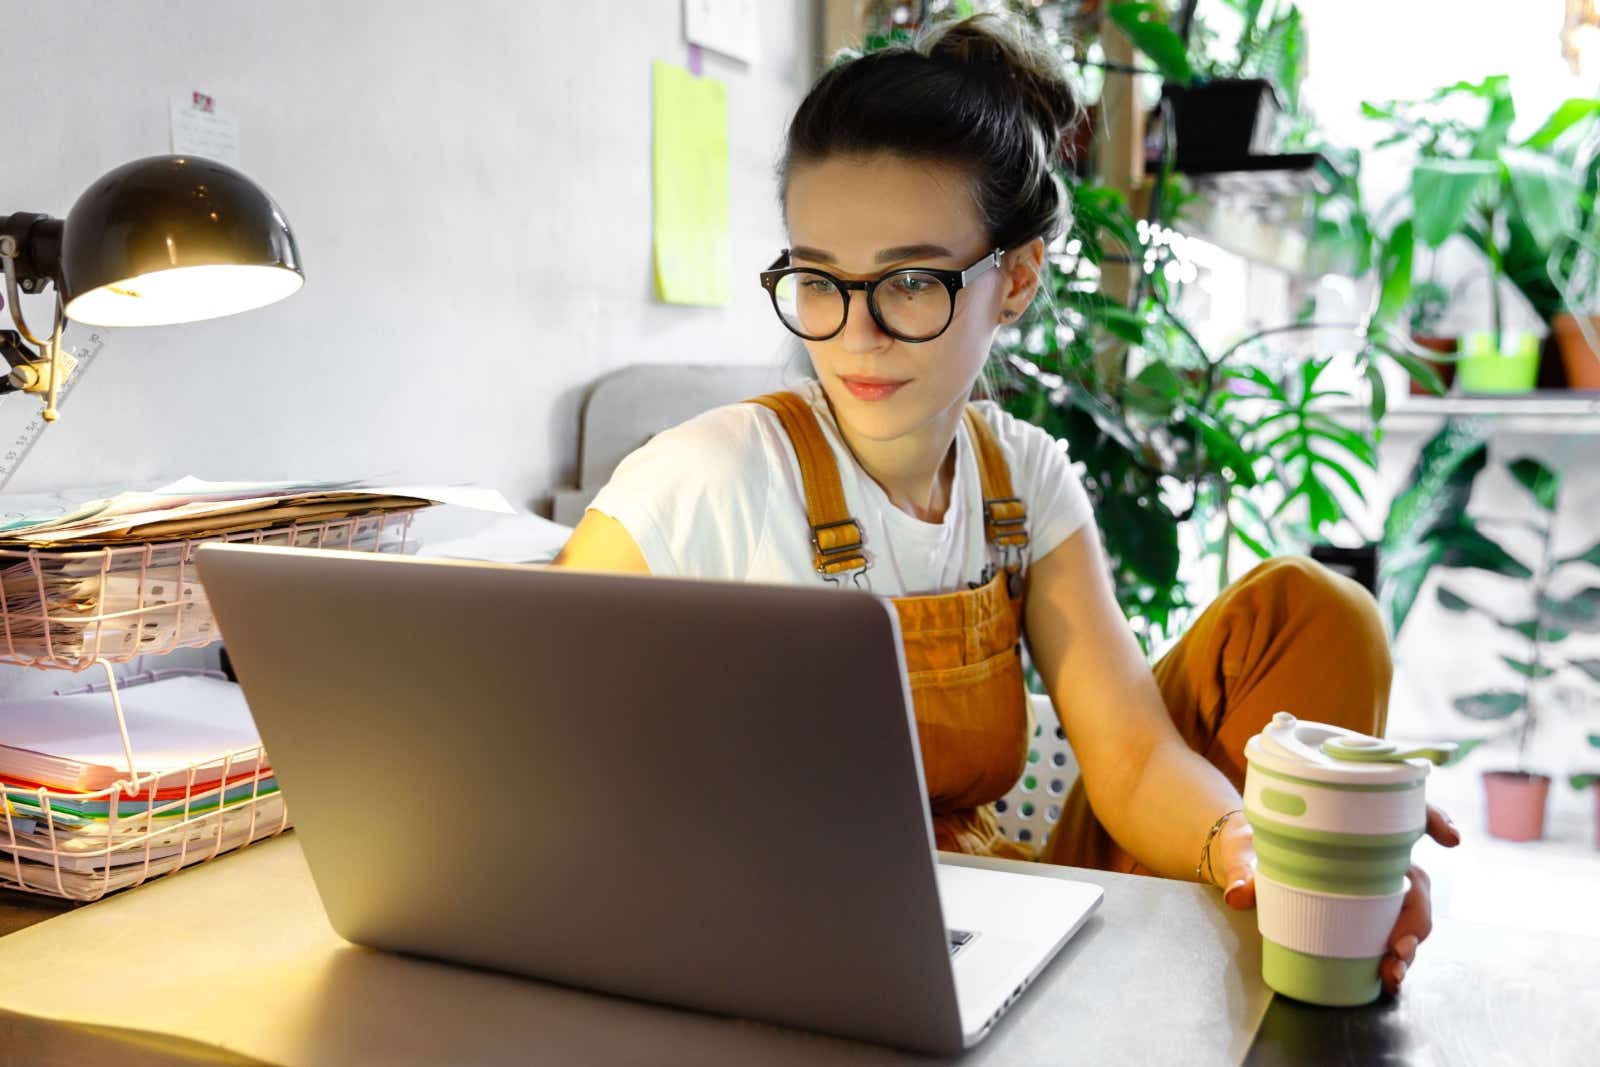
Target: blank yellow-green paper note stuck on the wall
[[694, 265]]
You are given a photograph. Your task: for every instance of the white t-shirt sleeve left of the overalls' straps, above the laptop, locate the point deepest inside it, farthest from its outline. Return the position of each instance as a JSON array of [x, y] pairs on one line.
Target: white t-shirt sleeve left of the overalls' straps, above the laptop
[[695, 498]]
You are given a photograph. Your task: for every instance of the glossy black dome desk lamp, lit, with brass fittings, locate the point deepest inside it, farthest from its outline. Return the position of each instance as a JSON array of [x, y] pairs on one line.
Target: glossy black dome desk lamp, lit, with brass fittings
[[161, 241]]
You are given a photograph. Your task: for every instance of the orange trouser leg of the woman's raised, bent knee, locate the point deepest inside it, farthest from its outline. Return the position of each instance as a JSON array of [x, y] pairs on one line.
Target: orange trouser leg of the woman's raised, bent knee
[[1289, 636]]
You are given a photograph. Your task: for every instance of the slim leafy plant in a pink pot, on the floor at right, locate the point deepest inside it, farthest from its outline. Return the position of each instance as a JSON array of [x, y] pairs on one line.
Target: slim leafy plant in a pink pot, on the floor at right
[[1518, 797]]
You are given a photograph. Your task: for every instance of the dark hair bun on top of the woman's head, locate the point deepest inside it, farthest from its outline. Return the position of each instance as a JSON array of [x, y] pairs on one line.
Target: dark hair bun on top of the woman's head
[[1017, 63]]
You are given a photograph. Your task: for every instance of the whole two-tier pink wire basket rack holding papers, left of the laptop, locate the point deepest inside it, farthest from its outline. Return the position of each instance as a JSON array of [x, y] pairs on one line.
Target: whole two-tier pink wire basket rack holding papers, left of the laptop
[[73, 610]]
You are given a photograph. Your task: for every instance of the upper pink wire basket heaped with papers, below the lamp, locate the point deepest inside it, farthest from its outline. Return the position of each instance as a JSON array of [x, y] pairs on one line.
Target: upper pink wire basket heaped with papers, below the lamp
[[70, 610]]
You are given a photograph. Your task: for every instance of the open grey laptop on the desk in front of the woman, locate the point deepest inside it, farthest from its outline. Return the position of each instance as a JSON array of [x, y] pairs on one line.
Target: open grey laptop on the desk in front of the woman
[[689, 793]]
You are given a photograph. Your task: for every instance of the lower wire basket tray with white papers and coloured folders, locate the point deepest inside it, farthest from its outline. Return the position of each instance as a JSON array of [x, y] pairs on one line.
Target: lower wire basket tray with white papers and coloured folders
[[66, 828]]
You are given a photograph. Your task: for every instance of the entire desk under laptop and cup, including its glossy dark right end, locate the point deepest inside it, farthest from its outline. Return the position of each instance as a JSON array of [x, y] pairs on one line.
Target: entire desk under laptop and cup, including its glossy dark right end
[[1161, 975]]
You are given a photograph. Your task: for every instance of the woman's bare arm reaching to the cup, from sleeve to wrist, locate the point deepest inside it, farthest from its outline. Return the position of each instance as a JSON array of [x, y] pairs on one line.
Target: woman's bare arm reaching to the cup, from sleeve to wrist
[[1146, 786]]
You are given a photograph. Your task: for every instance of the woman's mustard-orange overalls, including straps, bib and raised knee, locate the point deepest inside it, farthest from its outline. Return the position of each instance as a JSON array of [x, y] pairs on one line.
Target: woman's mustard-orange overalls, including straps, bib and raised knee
[[1287, 636]]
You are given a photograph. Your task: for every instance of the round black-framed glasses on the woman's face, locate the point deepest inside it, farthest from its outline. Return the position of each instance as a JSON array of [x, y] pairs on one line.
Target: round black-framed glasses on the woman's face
[[910, 305]]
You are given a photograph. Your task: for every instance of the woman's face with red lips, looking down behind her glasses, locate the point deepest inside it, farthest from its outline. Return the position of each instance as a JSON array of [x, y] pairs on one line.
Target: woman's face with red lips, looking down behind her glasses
[[858, 218]]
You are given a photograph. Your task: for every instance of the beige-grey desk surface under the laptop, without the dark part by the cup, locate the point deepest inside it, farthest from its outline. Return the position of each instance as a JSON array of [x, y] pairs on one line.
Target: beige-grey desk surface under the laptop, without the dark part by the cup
[[236, 961]]
